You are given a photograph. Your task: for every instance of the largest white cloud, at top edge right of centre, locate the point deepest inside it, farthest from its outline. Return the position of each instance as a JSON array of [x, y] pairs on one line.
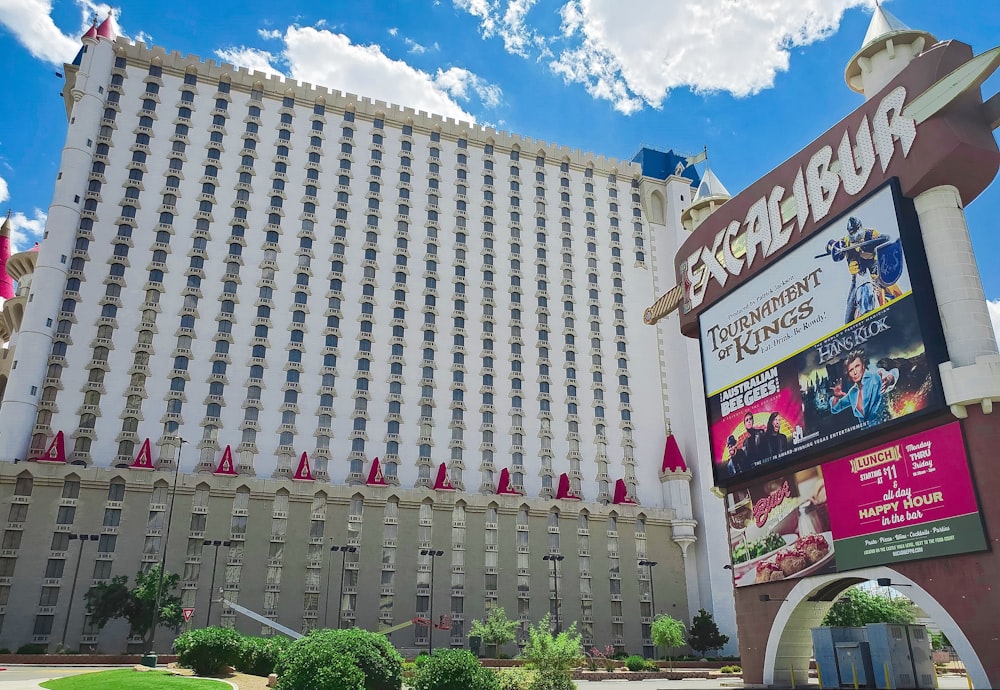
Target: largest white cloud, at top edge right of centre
[[634, 52]]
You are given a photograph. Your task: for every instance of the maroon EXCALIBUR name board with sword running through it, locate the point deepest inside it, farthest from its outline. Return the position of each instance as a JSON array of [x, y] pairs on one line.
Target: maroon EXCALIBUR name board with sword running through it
[[913, 130]]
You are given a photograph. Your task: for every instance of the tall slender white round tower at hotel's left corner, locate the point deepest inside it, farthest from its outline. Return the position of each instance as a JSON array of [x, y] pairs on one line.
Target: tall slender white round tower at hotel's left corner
[[20, 404]]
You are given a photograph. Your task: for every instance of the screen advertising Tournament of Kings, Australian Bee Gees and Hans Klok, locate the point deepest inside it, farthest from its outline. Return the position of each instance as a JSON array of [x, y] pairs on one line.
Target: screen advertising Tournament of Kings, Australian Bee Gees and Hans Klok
[[818, 348]]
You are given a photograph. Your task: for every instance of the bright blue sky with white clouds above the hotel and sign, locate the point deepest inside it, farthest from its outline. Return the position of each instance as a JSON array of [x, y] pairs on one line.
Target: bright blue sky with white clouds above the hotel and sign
[[753, 81]]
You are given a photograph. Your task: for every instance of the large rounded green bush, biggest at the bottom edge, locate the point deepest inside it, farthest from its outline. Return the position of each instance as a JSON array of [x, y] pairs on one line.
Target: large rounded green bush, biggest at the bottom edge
[[313, 662]]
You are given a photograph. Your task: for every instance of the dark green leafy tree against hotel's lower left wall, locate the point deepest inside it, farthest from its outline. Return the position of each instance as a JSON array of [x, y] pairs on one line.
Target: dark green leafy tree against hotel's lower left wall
[[108, 601]]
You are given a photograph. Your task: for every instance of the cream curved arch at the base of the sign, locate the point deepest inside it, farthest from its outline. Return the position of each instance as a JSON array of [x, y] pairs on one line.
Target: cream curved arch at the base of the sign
[[789, 644]]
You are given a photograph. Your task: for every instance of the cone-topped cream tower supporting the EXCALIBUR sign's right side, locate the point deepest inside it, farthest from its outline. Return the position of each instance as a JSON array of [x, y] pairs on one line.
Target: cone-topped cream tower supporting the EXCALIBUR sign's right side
[[973, 373]]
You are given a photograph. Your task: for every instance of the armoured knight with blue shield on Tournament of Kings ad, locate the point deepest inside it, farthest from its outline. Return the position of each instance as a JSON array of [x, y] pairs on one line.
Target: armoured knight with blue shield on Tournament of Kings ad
[[875, 263]]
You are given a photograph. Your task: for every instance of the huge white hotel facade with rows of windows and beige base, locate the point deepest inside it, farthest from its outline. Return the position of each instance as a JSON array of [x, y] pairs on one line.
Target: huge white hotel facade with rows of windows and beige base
[[351, 324]]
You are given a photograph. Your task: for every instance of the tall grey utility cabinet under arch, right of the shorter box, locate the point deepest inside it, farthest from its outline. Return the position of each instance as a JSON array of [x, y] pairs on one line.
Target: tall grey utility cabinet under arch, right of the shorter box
[[901, 655]]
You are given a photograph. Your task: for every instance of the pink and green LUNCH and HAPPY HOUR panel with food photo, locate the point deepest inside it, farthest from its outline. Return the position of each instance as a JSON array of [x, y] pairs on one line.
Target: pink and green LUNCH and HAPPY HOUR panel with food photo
[[900, 501]]
